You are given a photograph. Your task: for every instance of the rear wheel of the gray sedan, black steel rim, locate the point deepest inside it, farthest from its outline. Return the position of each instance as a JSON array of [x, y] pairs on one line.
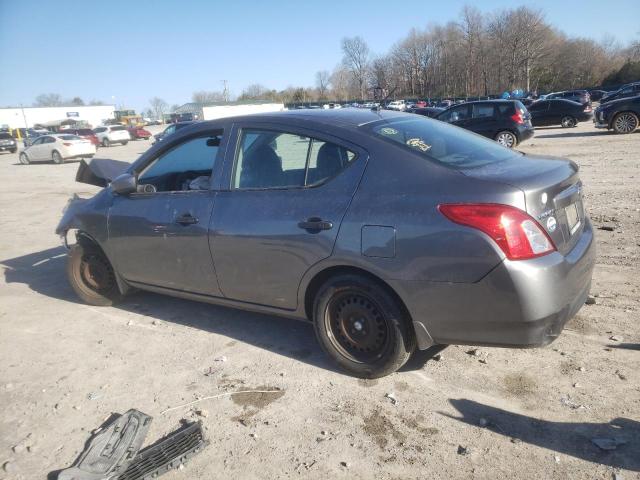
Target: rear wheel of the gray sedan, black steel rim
[[361, 326]]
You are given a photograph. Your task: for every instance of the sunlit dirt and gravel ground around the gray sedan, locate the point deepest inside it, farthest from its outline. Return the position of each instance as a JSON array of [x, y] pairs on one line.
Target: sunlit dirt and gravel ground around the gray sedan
[[492, 413]]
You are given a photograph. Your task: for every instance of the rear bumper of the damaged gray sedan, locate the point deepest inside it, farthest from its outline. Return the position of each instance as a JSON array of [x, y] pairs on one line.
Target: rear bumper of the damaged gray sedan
[[518, 304]]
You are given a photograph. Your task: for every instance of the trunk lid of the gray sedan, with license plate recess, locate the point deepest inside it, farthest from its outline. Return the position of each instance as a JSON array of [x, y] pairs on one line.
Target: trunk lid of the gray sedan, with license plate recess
[[552, 191]]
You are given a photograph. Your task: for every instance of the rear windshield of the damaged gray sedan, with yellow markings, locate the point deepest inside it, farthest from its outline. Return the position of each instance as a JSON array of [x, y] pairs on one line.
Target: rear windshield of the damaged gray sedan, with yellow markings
[[448, 145]]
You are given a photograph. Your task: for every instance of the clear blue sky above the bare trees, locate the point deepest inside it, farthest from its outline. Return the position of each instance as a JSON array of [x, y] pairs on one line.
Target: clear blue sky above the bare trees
[[125, 52]]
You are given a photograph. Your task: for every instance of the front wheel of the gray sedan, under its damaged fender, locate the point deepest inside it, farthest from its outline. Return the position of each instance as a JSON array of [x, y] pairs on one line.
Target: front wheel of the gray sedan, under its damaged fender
[[91, 275]]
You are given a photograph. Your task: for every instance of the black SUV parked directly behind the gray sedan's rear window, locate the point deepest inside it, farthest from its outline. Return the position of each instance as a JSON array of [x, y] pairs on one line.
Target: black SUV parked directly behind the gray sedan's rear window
[[506, 121]]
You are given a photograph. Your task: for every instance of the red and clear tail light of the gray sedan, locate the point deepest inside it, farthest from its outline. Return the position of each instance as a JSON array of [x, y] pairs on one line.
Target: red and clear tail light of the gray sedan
[[517, 234]]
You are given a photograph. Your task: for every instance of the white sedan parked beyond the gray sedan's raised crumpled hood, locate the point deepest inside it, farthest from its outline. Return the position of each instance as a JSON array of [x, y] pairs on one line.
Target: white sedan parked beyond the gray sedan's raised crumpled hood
[[57, 148]]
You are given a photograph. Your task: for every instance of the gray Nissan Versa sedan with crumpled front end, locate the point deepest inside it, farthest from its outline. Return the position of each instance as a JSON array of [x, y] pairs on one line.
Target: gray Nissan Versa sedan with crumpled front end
[[388, 231]]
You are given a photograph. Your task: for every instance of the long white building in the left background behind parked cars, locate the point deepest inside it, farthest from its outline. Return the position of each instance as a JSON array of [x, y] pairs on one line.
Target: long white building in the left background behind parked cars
[[94, 115]]
